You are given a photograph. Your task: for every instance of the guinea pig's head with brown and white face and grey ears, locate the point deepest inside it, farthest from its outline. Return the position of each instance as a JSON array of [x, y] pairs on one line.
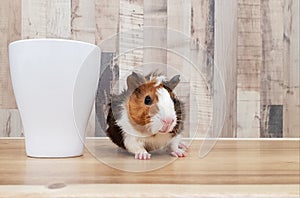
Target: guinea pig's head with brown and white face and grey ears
[[151, 104]]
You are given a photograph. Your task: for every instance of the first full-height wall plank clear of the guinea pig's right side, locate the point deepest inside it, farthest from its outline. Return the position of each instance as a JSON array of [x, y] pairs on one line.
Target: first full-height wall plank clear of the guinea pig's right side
[[202, 54]]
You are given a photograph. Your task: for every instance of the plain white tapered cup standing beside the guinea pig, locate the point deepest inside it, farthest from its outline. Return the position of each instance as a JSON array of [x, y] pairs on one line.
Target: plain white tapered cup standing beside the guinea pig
[[55, 83]]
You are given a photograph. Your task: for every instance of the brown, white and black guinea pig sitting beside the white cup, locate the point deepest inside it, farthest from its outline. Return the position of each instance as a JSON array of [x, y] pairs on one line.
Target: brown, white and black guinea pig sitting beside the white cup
[[147, 116]]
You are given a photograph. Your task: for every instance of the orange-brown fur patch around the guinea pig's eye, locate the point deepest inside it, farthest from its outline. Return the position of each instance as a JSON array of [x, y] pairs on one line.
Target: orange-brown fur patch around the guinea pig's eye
[[139, 112]]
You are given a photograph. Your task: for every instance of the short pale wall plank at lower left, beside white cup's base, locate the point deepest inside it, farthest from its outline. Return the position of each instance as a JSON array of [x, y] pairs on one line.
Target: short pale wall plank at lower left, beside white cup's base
[[10, 123]]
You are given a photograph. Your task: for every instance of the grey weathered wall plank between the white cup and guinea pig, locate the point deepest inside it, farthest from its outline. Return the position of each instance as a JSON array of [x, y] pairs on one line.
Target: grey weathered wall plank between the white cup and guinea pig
[[109, 72]]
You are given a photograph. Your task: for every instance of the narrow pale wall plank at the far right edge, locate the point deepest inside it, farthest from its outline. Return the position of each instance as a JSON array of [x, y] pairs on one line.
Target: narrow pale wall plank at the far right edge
[[291, 84]]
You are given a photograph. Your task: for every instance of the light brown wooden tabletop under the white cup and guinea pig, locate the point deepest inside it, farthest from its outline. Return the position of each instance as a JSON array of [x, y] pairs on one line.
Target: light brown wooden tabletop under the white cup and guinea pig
[[240, 167]]
